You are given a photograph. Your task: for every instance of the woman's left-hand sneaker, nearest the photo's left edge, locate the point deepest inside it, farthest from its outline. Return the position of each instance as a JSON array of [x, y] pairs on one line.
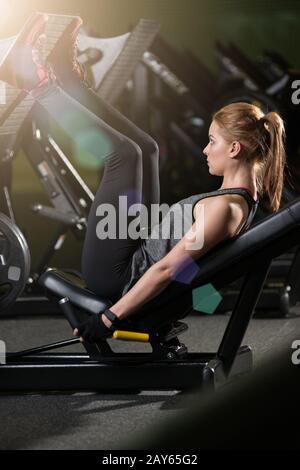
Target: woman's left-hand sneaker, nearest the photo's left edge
[[20, 67]]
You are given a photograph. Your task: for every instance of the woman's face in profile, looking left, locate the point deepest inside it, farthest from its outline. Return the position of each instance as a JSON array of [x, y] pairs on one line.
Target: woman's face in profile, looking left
[[217, 151]]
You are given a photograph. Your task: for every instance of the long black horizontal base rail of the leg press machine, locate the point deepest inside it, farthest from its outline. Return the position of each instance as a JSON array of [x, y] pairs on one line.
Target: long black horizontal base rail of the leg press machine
[[134, 375]]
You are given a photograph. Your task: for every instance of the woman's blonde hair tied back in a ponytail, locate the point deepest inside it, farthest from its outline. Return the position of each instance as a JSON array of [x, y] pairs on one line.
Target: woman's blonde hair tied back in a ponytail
[[262, 140]]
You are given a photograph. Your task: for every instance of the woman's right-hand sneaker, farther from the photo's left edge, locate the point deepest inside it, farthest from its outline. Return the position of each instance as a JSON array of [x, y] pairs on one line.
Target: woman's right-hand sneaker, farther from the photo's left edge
[[63, 58]]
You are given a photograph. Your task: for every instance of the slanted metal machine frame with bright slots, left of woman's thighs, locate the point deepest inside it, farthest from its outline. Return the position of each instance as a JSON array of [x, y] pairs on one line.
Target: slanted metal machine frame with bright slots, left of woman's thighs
[[70, 199]]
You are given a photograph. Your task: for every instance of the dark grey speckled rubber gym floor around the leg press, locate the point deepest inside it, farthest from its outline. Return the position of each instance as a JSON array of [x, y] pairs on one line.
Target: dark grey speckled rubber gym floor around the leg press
[[97, 421]]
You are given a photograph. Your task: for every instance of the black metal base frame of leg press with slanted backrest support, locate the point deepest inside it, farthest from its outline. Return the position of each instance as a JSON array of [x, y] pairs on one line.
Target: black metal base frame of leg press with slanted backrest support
[[170, 366]]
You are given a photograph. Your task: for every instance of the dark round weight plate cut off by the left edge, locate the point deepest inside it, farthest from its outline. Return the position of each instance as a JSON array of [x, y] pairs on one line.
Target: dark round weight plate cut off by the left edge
[[14, 262]]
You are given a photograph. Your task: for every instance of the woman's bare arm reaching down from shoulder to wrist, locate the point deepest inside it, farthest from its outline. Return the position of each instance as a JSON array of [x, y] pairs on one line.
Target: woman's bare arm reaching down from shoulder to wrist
[[216, 228]]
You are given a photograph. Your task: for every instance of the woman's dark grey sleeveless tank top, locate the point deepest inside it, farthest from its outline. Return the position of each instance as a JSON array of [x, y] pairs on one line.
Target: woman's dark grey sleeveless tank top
[[179, 219]]
